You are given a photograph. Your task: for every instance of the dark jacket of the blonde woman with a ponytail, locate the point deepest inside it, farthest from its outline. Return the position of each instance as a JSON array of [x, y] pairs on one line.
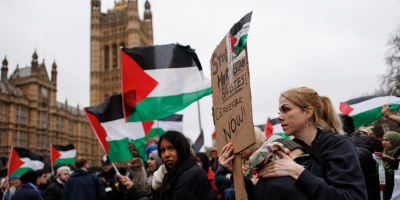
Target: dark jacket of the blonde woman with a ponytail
[[342, 178]]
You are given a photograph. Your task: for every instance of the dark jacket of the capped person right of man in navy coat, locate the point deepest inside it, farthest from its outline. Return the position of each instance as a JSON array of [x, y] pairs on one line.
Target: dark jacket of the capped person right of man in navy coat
[[109, 180]]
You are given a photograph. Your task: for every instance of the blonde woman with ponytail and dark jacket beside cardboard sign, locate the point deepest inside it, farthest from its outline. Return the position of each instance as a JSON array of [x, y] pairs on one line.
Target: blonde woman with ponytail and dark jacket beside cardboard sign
[[312, 120]]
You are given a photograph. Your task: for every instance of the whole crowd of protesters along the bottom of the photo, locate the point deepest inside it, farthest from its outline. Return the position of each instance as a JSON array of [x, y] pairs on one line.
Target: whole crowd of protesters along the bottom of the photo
[[327, 159]]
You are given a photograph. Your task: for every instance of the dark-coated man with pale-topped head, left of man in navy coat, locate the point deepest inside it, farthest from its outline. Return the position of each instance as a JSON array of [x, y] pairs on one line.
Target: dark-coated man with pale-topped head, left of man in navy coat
[[55, 189]]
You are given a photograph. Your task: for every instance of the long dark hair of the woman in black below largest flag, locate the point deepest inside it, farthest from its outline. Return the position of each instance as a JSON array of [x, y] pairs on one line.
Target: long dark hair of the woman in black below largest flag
[[182, 147]]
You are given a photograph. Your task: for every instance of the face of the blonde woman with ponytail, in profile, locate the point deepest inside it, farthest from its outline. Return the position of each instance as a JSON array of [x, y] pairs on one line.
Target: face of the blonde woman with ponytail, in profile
[[292, 117]]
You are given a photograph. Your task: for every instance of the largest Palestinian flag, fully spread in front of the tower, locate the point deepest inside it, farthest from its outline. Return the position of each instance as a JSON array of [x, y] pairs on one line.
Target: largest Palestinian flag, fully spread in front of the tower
[[158, 81]]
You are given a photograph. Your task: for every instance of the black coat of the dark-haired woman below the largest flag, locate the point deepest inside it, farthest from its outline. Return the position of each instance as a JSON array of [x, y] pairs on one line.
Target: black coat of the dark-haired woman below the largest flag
[[190, 183]]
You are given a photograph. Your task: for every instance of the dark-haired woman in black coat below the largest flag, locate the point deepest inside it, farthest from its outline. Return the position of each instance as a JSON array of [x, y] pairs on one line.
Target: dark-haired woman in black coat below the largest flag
[[185, 179]]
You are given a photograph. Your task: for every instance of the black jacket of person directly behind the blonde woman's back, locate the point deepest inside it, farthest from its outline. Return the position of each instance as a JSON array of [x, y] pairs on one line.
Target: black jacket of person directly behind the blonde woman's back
[[365, 149]]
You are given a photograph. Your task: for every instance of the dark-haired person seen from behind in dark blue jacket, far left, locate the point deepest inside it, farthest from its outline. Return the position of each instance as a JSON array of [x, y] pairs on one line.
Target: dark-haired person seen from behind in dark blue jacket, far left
[[29, 189]]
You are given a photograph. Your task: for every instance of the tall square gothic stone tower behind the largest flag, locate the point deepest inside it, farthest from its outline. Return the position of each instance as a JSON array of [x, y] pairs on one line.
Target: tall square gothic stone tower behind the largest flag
[[119, 27]]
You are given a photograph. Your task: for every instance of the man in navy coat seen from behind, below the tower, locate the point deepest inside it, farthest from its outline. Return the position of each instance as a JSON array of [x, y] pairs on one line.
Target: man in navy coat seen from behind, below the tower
[[83, 185]]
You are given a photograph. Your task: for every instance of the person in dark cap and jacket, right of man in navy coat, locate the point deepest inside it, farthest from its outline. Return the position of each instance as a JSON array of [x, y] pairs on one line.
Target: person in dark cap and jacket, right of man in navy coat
[[114, 189]]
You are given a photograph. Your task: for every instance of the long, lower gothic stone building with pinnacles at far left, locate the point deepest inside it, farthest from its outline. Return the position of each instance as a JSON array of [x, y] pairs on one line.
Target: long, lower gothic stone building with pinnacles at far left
[[31, 118]]
